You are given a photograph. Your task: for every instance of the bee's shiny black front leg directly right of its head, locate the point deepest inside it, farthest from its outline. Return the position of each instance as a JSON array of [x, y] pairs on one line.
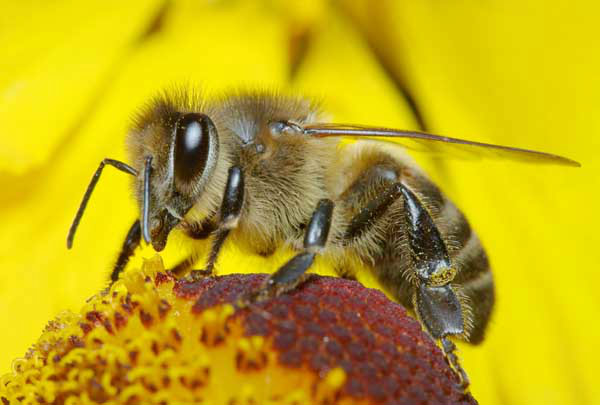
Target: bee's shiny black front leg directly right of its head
[[231, 209]]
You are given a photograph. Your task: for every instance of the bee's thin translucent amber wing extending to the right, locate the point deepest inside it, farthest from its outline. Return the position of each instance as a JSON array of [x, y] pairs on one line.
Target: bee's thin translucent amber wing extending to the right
[[422, 141]]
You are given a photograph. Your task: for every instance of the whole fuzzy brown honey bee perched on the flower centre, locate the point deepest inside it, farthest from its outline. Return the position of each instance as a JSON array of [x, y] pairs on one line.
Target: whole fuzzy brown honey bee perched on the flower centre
[[260, 168]]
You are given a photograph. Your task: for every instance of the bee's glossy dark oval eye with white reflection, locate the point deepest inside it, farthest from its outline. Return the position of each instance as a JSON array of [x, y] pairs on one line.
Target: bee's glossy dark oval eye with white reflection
[[192, 145]]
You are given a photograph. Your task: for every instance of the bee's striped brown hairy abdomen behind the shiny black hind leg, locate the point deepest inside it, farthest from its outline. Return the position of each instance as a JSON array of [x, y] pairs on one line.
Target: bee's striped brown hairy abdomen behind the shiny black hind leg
[[383, 241]]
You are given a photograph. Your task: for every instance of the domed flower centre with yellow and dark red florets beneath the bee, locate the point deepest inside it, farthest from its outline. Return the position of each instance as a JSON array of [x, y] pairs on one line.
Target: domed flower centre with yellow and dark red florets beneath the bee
[[151, 339]]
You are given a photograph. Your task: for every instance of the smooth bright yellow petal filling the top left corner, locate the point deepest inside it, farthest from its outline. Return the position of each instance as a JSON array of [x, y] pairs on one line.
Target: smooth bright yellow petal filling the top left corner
[[57, 59]]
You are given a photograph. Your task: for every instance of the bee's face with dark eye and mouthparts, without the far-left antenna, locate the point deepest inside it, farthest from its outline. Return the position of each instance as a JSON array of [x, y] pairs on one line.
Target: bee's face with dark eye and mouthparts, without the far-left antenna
[[179, 152]]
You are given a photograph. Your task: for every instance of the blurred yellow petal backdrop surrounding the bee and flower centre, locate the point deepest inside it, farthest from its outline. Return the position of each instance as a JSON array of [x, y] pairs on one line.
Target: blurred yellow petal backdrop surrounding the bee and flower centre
[[511, 72]]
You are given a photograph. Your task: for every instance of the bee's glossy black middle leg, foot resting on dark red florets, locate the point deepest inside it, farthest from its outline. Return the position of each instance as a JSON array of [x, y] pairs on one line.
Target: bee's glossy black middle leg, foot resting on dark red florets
[[293, 272]]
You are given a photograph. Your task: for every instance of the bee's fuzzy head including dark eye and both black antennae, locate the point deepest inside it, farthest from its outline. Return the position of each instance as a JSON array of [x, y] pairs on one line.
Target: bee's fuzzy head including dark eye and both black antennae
[[173, 151]]
